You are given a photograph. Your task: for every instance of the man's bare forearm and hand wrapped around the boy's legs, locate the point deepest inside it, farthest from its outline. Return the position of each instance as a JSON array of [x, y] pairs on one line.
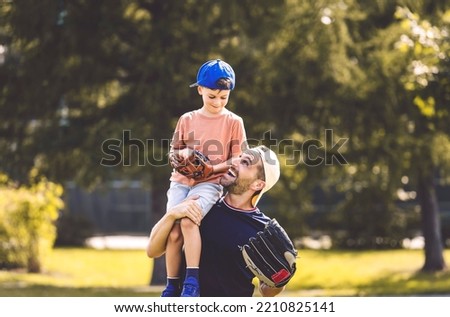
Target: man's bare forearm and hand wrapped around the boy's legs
[[156, 245]]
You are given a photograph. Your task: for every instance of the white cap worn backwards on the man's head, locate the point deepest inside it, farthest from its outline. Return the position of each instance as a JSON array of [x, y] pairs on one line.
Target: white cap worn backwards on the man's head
[[271, 170]]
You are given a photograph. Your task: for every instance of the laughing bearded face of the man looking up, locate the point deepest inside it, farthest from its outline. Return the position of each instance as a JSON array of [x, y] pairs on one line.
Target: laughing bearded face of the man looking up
[[242, 173]]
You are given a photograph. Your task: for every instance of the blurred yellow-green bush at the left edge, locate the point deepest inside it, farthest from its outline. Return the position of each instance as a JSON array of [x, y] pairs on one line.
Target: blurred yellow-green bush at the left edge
[[27, 222]]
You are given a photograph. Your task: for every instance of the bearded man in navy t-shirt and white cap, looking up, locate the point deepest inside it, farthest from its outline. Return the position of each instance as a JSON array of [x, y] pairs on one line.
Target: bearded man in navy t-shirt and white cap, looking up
[[228, 226]]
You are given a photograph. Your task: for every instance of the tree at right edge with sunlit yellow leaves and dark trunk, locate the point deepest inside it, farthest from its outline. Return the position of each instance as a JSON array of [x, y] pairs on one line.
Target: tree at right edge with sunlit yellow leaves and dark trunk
[[427, 49]]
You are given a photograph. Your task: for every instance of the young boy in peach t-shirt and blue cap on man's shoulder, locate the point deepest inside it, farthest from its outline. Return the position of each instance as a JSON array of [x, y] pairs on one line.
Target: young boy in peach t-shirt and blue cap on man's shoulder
[[220, 135]]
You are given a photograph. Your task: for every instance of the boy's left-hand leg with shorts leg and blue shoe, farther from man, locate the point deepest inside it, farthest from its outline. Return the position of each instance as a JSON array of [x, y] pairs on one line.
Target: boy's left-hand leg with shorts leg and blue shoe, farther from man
[[176, 194]]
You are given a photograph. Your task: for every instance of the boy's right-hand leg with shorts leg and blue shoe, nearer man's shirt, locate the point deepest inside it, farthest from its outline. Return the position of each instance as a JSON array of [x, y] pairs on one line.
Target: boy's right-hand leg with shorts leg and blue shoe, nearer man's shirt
[[209, 194]]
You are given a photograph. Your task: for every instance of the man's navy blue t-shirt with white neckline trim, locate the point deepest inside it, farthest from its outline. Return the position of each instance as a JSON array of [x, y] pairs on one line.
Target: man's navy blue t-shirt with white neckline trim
[[224, 229]]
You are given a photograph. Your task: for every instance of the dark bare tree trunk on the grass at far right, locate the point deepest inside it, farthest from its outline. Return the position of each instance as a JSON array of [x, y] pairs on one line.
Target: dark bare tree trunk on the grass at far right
[[431, 225]]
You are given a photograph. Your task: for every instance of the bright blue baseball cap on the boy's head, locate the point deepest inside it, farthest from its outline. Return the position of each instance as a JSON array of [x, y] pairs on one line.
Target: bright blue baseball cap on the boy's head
[[211, 71]]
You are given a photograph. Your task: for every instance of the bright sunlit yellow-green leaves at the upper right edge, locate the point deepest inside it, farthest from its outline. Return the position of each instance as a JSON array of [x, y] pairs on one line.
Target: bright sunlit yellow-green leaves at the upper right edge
[[427, 48]]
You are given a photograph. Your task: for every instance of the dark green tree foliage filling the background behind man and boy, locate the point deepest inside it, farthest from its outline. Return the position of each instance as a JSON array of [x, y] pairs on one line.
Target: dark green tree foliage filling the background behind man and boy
[[79, 73]]
